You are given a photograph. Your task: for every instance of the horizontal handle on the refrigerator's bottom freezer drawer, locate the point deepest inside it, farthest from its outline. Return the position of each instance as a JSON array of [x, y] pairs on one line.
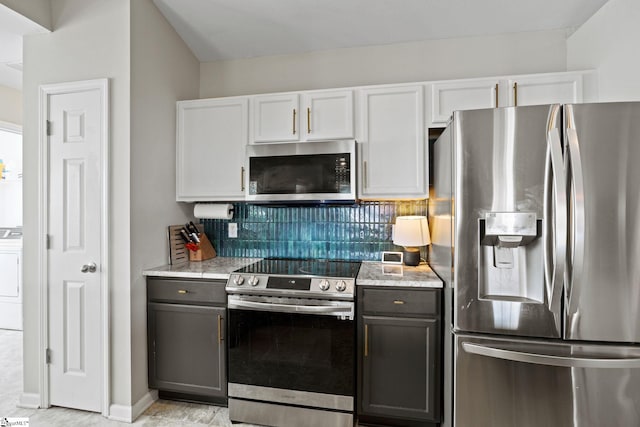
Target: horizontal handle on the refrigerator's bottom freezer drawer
[[551, 360]]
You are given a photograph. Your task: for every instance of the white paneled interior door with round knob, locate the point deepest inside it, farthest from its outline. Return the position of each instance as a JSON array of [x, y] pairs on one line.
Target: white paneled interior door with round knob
[[76, 271]]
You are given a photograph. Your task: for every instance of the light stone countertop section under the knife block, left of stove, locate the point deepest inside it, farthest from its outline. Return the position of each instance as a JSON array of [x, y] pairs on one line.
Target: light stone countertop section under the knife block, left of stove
[[216, 268]]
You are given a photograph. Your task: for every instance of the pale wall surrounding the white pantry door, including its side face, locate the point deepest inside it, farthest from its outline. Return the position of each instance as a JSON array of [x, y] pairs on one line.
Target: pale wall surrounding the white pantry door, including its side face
[[149, 68]]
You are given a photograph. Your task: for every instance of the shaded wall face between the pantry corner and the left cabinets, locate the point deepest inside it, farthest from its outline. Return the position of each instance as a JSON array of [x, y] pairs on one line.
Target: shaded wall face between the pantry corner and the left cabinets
[[163, 70]]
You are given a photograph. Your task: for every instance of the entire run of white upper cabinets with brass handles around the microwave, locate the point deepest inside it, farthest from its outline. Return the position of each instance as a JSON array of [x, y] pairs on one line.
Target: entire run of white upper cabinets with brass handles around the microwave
[[391, 132]]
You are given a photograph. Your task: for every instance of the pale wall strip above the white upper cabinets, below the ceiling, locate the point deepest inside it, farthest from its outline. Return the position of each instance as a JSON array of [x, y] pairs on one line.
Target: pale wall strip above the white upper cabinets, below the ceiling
[[521, 53]]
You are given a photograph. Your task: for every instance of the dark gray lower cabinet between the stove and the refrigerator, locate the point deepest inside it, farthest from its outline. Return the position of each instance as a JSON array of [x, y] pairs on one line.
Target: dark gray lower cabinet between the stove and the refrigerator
[[400, 355]]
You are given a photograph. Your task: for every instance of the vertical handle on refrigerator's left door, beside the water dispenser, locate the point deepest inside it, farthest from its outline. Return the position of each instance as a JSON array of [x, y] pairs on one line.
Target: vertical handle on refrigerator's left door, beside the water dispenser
[[554, 243]]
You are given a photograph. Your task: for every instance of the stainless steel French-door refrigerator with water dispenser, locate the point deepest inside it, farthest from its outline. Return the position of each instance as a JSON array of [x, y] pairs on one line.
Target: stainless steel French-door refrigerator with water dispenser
[[535, 217]]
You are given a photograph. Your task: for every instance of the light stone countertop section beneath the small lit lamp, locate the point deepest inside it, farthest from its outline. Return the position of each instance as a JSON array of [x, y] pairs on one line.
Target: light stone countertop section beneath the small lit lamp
[[378, 274]]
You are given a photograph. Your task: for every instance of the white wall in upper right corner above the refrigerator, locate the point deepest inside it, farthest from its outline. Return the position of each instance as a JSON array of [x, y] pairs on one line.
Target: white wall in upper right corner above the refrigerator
[[608, 43]]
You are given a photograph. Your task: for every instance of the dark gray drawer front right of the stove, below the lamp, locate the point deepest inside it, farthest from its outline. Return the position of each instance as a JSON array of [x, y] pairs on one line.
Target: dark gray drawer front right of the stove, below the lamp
[[400, 301]]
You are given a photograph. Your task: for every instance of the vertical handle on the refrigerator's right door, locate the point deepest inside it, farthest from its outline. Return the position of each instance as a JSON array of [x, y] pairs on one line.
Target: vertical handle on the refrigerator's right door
[[579, 221]]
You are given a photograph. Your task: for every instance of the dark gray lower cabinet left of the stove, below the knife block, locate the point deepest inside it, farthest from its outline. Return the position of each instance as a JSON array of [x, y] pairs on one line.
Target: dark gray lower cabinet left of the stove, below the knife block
[[186, 330]]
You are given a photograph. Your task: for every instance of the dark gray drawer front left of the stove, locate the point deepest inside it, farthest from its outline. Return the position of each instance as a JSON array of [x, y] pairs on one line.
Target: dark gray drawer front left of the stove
[[187, 291]]
